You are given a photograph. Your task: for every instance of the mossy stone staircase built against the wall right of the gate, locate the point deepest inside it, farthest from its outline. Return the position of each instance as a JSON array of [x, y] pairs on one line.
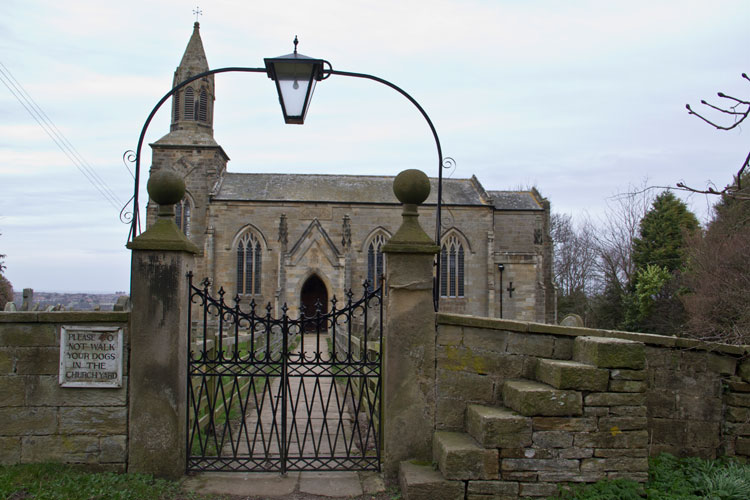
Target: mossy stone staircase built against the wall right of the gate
[[580, 420]]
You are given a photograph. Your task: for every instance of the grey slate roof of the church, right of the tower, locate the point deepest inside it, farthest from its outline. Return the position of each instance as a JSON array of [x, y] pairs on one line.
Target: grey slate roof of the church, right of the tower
[[359, 189]]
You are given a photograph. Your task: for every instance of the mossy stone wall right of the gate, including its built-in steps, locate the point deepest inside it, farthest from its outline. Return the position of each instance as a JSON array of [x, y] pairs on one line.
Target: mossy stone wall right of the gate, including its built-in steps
[[522, 407]]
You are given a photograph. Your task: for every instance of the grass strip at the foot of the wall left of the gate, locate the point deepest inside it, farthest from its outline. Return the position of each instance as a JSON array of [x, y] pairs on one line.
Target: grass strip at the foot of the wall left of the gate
[[62, 482]]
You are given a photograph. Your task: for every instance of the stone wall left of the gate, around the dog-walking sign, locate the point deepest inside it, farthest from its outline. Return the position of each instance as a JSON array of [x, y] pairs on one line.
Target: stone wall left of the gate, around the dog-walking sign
[[41, 421]]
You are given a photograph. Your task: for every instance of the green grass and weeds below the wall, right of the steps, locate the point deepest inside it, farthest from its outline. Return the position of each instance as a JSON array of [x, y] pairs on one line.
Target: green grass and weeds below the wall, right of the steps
[[672, 478]]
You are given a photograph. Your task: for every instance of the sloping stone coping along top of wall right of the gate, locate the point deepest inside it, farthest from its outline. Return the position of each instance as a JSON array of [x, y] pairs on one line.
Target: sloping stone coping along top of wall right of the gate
[[572, 331]]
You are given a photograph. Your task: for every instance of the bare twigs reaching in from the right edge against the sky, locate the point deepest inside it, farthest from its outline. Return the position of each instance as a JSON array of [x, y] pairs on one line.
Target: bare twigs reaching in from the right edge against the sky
[[737, 110]]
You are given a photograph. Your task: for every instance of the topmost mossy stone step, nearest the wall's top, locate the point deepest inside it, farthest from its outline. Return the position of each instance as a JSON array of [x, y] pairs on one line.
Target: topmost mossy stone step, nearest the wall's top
[[609, 352]]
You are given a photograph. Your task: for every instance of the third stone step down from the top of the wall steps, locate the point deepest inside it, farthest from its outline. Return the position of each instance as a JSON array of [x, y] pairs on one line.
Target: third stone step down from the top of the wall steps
[[535, 399]]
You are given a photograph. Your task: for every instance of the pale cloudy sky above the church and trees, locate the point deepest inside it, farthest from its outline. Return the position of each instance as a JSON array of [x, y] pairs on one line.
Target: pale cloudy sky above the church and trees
[[581, 99]]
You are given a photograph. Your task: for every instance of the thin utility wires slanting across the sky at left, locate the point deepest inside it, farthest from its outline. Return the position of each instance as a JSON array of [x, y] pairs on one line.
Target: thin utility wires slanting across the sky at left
[[43, 120]]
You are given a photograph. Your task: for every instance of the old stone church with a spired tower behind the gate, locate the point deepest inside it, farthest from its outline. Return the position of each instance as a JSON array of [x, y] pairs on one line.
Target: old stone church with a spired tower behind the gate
[[299, 239]]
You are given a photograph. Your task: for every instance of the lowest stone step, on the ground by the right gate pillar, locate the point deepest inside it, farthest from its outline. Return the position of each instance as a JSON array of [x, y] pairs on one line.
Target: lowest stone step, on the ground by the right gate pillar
[[422, 482]]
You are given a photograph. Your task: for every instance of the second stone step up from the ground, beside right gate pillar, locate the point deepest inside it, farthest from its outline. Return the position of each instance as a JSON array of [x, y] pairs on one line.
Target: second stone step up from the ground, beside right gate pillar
[[459, 457]]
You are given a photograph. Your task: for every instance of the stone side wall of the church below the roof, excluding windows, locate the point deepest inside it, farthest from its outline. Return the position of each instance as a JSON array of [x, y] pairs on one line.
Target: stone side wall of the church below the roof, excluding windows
[[317, 248]]
